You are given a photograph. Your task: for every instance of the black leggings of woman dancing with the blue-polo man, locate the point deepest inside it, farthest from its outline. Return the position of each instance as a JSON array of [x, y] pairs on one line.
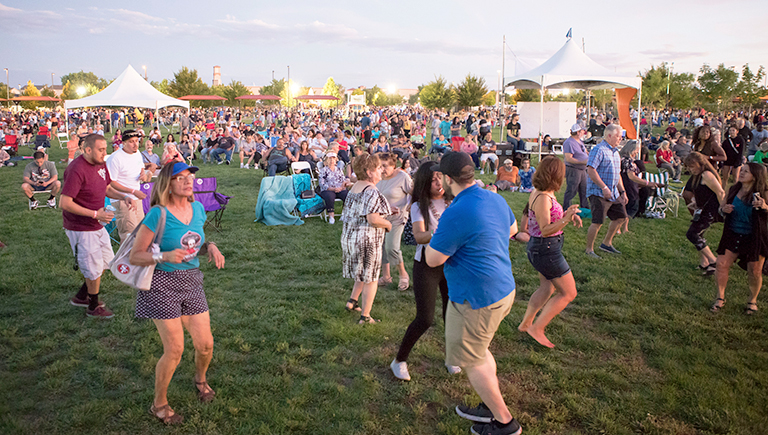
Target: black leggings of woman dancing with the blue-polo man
[[426, 281]]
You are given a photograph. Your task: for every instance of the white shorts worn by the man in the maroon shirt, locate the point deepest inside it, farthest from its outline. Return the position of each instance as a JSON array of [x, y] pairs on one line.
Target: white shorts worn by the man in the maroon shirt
[[93, 251]]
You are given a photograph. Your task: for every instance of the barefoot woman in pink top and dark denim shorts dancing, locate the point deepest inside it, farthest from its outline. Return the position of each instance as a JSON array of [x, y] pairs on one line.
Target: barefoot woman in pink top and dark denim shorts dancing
[[546, 221]]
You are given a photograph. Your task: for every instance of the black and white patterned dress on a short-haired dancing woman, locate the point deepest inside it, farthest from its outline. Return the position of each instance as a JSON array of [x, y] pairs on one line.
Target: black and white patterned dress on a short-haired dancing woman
[[360, 242]]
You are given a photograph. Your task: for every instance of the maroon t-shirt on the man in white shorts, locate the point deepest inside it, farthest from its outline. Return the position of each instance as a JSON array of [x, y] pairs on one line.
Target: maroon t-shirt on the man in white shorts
[[87, 185]]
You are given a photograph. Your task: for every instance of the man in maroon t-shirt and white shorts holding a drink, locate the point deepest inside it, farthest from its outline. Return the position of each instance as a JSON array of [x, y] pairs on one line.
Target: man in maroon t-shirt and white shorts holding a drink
[[86, 183]]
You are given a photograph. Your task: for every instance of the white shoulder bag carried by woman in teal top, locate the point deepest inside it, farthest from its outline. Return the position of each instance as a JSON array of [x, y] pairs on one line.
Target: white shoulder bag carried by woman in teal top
[[138, 277]]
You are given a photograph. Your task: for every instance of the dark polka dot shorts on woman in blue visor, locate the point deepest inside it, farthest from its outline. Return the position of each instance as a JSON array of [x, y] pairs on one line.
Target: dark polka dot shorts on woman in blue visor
[[172, 295]]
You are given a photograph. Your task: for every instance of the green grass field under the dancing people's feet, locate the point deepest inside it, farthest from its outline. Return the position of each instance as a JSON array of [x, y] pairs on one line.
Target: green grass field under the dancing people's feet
[[637, 351]]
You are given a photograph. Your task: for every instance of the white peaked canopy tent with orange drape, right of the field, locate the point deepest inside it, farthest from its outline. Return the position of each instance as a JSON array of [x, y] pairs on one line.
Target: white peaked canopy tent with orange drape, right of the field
[[571, 68]]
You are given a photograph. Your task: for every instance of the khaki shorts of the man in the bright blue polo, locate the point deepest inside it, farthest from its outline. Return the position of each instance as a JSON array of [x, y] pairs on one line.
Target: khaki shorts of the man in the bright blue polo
[[468, 332]]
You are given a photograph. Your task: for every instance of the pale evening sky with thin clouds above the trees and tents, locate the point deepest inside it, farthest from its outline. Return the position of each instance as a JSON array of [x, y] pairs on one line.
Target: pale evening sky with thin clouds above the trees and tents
[[390, 43]]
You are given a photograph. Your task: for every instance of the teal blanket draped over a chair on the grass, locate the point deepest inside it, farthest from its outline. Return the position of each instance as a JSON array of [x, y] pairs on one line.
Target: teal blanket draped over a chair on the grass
[[276, 202]]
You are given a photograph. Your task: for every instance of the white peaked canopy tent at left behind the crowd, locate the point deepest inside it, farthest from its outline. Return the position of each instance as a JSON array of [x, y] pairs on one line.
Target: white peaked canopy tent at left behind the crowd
[[128, 90]]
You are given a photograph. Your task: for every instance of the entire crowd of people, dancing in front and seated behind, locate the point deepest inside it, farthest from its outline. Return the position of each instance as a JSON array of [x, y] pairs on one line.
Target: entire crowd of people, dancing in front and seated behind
[[395, 186]]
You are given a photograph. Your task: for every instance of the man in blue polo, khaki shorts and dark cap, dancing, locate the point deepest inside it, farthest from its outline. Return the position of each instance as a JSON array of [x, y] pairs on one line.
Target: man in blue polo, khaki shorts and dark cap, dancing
[[472, 240]]
